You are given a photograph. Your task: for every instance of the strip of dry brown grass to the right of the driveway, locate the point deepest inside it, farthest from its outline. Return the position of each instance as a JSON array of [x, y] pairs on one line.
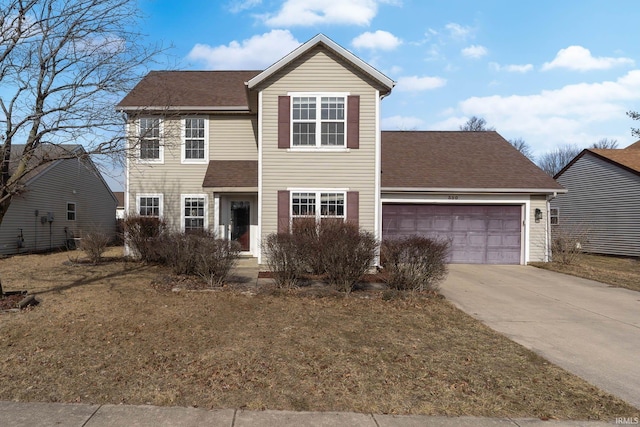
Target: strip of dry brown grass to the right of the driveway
[[615, 271]]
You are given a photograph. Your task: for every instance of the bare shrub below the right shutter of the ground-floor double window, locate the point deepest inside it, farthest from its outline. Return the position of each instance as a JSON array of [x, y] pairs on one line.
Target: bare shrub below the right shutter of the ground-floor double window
[[346, 252]]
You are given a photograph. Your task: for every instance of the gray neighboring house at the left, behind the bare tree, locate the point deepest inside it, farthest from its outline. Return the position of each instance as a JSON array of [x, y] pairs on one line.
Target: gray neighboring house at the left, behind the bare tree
[[60, 200]]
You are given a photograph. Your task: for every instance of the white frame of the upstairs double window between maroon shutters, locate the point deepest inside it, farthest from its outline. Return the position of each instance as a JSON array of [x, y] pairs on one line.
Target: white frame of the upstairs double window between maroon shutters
[[318, 120]]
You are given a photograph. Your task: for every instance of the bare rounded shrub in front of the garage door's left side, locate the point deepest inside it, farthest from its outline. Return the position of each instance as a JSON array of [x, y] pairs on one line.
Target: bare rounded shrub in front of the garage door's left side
[[414, 263]]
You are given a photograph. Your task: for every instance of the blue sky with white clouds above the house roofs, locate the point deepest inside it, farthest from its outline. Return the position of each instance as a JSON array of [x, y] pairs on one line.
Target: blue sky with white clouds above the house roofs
[[551, 72]]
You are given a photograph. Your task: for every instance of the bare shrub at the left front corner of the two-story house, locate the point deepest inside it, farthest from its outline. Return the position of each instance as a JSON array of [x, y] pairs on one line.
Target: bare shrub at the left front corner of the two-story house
[[142, 234]]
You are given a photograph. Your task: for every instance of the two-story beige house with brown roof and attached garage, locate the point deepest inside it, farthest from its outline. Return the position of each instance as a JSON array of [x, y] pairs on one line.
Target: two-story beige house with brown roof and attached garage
[[246, 152]]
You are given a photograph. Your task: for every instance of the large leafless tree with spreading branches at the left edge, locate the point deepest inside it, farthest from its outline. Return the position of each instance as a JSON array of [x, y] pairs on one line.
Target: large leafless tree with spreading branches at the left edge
[[64, 64]]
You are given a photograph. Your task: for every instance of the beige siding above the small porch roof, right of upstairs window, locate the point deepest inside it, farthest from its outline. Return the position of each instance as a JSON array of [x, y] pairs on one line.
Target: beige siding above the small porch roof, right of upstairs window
[[233, 138]]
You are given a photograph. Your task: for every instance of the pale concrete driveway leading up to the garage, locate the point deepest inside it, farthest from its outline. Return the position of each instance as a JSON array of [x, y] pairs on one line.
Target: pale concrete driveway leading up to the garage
[[586, 327]]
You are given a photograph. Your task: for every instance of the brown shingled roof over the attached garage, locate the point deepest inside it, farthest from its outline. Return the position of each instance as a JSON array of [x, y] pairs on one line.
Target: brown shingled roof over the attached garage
[[458, 160]]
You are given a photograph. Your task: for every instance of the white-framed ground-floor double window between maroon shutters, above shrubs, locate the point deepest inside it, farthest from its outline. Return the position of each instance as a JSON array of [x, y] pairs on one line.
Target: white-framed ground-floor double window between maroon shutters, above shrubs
[[318, 204]]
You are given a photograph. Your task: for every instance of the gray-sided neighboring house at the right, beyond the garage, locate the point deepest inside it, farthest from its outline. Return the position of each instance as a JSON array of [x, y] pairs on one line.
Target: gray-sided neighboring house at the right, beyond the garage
[[603, 200]]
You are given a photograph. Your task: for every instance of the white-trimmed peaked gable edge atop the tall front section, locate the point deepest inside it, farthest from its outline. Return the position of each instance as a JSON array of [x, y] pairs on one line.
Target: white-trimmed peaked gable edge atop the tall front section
[[322, 40]]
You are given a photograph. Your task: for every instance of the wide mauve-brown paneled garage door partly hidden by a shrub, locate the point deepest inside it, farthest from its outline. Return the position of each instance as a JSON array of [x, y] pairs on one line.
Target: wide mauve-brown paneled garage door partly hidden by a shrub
[[479, 234]]
